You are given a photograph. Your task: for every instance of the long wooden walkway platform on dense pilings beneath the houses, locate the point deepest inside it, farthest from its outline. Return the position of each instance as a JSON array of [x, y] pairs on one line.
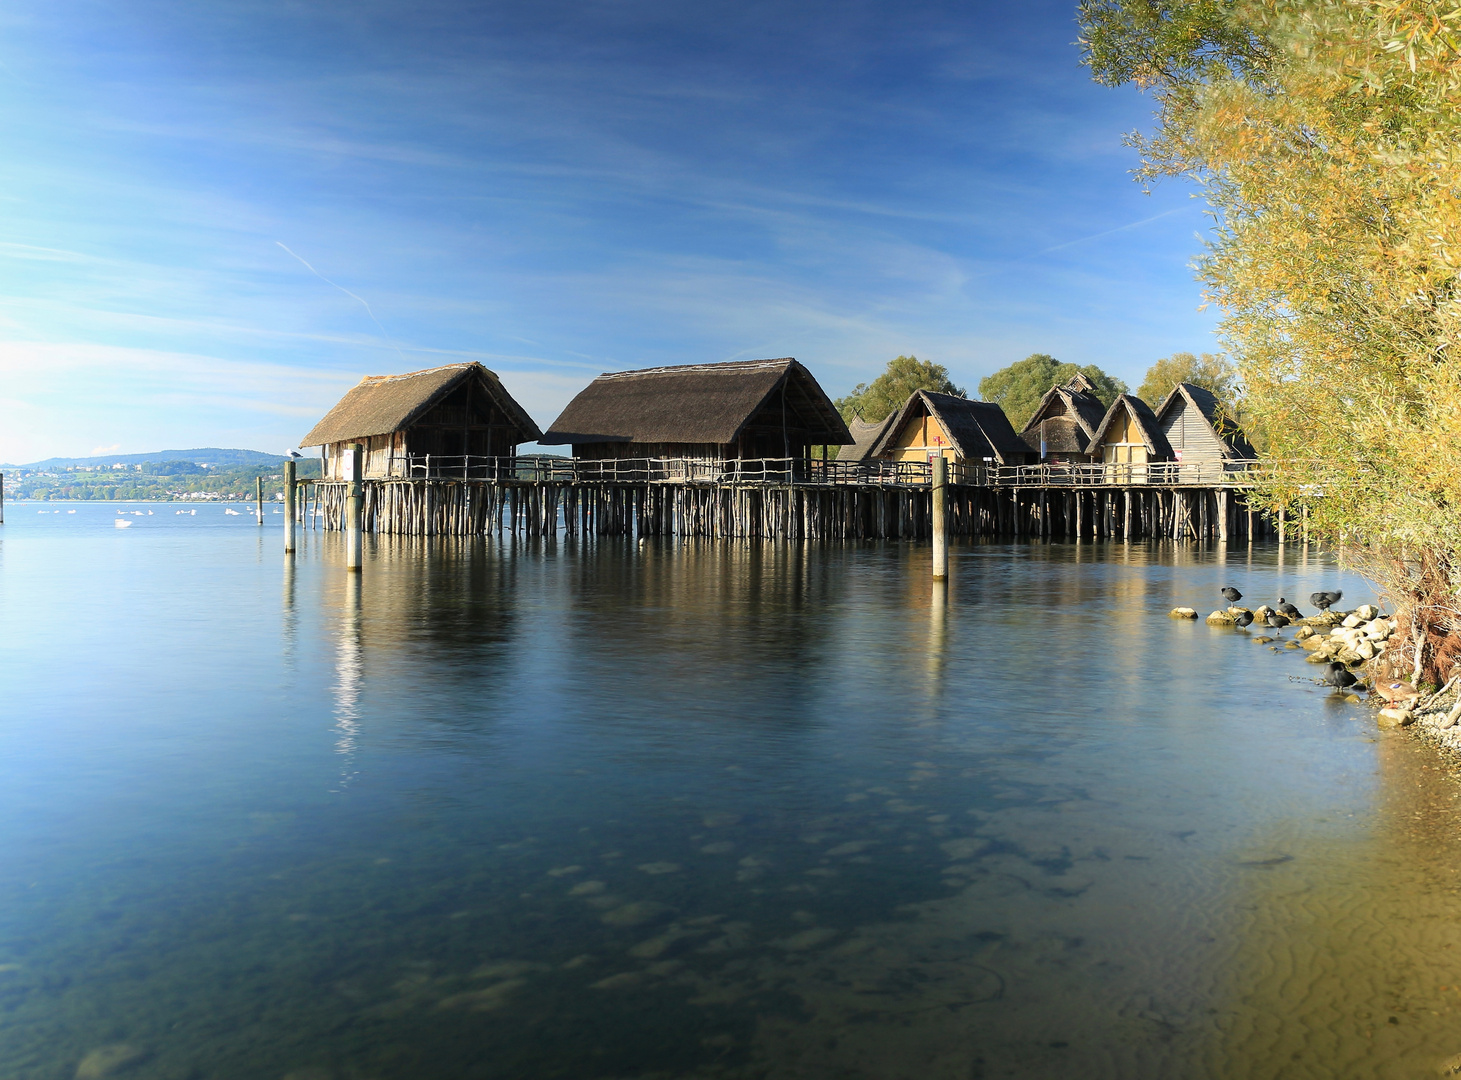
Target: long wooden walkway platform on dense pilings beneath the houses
[[781, 499]]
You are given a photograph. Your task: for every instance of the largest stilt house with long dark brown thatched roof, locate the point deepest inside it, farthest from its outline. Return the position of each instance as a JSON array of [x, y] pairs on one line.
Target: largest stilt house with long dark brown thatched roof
[[741, 410]]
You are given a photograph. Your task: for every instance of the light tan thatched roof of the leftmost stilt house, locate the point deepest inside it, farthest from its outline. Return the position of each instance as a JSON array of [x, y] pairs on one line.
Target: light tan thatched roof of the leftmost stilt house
[[379, 406]]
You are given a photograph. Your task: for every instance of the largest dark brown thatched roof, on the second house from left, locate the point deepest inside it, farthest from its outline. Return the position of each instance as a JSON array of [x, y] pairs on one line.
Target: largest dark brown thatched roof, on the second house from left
[[698, 404]]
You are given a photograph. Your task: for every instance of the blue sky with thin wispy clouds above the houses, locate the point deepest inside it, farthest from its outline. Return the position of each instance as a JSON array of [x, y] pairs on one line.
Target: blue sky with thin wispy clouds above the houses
[[554, 189]]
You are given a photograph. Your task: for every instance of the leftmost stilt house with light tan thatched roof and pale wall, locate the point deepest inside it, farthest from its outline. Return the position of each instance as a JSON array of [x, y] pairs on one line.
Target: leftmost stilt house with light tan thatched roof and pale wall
[[445, 422]]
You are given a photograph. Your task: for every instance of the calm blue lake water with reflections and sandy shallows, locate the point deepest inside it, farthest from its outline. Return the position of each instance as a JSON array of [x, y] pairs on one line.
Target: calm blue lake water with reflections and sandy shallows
[[556, 809]]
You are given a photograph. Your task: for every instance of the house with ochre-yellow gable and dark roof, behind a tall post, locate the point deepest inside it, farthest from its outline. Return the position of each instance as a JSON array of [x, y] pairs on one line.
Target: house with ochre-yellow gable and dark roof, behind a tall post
[[931, 425]]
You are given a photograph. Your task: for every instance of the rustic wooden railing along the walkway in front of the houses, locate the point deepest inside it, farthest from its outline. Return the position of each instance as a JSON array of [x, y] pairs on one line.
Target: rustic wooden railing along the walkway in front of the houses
[[785, 471]]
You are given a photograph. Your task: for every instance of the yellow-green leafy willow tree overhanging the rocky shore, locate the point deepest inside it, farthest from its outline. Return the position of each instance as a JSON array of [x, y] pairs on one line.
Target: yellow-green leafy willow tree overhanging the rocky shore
[[1326, 135]]
